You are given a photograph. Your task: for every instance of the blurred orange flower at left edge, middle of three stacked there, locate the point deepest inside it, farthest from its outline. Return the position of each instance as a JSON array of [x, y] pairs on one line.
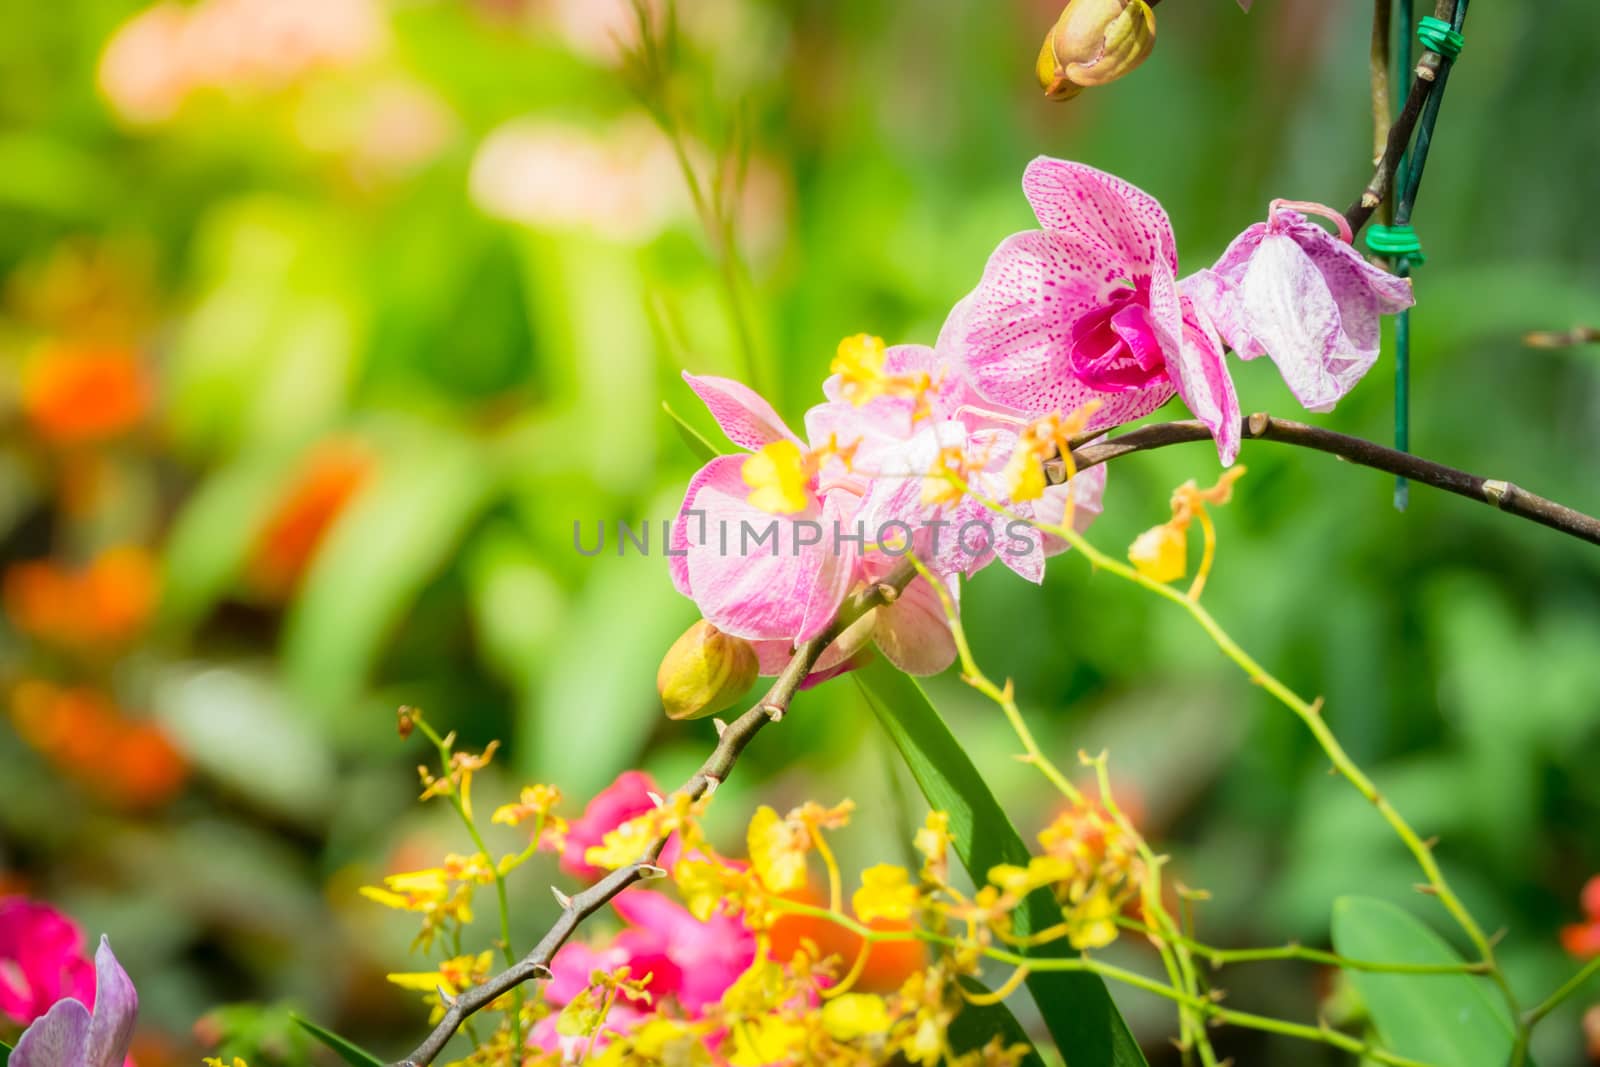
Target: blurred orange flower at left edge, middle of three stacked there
[[102, 605]]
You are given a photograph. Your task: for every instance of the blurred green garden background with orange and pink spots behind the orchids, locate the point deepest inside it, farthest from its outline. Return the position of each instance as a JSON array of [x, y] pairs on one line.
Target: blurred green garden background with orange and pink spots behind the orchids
[[324, 321]]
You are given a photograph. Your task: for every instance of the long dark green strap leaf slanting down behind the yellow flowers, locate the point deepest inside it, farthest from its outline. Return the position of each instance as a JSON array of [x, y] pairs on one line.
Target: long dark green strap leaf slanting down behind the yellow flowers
[[1078, 1009]]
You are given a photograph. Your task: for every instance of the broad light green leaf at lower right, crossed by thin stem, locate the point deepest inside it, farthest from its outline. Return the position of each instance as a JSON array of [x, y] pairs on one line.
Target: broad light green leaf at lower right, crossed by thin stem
[[1434, 1018]]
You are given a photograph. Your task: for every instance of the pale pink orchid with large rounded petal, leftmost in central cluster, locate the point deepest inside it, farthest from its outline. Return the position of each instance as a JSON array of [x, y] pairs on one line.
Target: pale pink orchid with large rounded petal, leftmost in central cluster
[[780, 594]]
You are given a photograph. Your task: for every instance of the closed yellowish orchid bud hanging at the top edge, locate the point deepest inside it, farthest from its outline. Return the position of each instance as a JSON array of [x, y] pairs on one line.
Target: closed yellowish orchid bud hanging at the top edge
[[1095, 42]]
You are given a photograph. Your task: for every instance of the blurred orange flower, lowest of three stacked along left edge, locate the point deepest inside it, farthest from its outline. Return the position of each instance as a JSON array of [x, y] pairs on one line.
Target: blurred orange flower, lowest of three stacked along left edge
[[127, 762]]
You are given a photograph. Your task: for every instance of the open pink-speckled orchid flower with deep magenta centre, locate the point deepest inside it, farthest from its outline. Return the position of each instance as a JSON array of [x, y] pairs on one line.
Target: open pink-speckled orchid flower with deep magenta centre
[[1089, 308]]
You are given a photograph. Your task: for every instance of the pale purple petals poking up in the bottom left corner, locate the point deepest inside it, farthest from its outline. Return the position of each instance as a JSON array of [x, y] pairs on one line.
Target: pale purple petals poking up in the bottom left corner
[[71, 1036]]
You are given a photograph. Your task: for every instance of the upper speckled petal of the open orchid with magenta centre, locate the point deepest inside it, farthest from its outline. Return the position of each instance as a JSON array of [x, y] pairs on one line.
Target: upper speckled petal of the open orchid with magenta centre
[[1113, 222]]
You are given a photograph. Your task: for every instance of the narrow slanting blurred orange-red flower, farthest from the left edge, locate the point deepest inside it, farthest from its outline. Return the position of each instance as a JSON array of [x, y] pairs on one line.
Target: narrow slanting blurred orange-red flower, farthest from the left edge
[[326, 482]]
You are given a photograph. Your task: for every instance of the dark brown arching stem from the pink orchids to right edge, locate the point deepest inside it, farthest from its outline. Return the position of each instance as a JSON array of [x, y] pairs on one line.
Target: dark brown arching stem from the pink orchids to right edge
[[1497, 494]]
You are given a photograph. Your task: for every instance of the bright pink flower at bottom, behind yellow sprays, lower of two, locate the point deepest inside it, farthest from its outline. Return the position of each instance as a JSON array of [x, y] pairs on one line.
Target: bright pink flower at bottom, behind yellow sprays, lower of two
[[689, 962]]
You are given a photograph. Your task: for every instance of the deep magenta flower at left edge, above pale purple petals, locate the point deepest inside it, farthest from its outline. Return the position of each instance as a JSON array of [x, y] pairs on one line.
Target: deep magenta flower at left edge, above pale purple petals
[[41, 961]]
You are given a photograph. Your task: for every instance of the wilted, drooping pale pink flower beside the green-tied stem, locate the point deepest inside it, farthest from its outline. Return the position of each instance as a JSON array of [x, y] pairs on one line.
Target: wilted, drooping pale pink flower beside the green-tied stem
[[1295, 292]]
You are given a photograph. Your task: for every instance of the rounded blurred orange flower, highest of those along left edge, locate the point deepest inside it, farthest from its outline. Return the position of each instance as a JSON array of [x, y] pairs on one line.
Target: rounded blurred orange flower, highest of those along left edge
[[74, 396]]
